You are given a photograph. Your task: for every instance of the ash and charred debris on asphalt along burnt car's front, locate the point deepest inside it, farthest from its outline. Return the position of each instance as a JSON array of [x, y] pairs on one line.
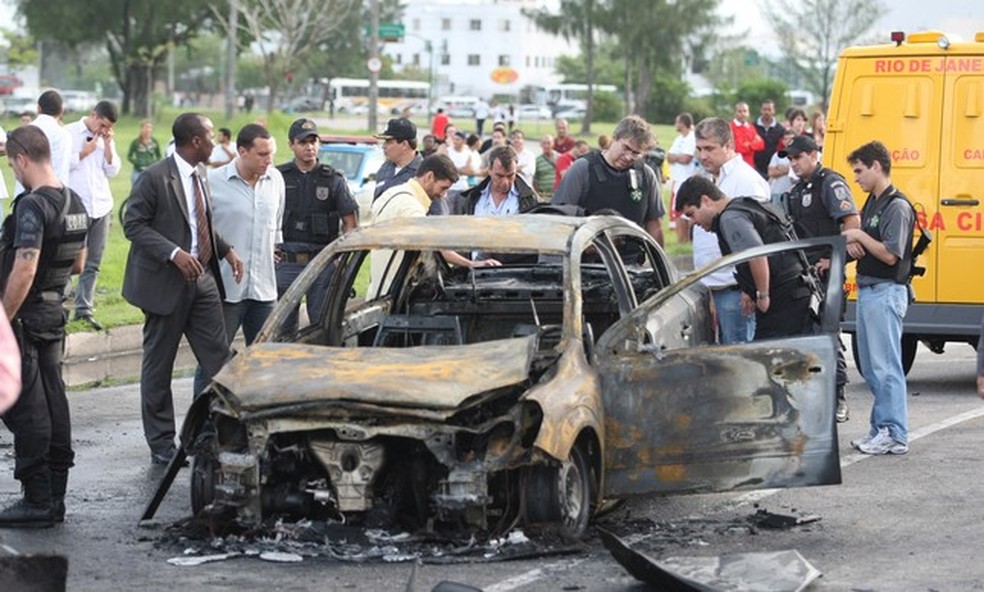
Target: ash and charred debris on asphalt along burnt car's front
[[193, 537]]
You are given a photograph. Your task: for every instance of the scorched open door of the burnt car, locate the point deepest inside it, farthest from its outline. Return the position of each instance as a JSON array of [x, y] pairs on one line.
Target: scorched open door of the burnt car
[[718, 418]]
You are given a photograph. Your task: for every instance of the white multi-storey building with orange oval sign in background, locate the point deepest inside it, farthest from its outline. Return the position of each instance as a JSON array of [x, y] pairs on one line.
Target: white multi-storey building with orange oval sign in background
[[478, 47]]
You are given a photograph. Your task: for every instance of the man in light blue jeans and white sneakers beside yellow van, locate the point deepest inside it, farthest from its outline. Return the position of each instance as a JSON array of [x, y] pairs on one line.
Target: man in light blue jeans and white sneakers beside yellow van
[[883, 250]]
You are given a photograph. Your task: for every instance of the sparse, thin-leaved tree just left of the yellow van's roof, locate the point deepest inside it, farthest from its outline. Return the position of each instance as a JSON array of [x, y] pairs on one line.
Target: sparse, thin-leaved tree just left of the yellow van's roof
[[812, 34]]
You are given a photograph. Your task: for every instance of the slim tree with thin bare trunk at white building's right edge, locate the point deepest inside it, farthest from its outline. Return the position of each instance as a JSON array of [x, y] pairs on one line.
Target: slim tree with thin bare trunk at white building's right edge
[[575, 19]]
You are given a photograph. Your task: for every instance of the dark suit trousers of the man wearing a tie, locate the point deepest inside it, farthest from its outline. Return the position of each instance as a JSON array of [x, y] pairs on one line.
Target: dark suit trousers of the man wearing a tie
[[198, 317]]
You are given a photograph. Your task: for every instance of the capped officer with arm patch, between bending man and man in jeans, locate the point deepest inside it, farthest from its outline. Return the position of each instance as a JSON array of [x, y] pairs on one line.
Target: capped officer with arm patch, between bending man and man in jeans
[[820, 204]]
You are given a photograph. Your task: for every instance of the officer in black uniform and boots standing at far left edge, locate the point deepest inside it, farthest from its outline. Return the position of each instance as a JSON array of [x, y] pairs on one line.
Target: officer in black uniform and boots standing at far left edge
[[43, 243]]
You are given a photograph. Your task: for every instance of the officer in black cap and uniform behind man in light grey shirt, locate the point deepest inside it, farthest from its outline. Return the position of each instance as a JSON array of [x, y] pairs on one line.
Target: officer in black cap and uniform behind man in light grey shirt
[[317, 200]]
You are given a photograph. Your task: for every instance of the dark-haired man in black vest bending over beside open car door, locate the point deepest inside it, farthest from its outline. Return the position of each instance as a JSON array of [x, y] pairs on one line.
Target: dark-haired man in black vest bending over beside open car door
[[776, 288]]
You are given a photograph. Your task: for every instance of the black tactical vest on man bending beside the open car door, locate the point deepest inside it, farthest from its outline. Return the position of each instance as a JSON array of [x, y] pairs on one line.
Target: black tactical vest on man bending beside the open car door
[[774, 227]]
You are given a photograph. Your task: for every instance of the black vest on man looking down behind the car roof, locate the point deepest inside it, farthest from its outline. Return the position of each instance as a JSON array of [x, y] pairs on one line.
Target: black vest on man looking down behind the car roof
[[608, 188]]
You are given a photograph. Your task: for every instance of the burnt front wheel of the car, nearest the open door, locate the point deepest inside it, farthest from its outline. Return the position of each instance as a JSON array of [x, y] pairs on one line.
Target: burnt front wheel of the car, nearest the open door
[[562, 493]]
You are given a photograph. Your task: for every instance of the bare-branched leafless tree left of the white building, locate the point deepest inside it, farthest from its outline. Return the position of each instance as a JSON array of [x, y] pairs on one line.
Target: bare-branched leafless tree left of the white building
[[286, 32]]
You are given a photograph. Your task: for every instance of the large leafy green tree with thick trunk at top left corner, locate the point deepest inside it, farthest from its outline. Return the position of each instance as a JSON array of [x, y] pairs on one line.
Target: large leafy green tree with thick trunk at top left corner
[[136, 34]]
